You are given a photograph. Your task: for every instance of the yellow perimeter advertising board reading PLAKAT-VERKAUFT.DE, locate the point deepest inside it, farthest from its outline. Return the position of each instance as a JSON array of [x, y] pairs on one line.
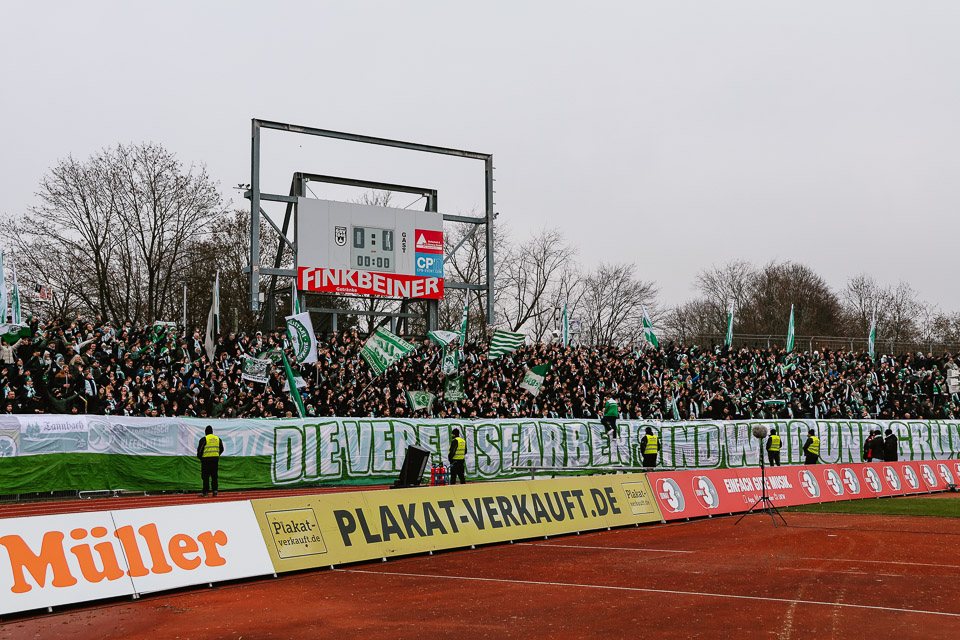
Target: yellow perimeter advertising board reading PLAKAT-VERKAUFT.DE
[[313, 531]]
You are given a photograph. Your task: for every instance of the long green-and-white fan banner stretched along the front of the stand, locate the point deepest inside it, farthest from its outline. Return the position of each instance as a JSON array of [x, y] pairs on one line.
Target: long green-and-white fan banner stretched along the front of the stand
[[53, 453]]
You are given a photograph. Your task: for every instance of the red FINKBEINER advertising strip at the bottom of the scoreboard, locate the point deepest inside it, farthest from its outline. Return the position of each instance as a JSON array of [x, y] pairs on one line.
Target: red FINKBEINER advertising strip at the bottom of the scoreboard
[[369, 283]]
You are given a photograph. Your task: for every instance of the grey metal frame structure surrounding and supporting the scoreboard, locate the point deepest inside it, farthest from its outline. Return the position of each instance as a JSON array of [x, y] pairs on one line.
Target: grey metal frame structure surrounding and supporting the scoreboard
[[258, 198]]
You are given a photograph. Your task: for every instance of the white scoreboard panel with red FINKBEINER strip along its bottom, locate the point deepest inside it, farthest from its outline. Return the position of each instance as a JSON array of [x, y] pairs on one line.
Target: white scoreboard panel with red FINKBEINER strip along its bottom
[[350, 248]]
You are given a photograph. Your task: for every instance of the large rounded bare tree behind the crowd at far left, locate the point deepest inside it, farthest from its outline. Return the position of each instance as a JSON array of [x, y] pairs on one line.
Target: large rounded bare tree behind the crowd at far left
[[111, 233]]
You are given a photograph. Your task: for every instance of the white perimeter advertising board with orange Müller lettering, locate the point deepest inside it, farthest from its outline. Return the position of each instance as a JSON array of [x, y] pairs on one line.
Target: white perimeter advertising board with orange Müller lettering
[[52, 560]]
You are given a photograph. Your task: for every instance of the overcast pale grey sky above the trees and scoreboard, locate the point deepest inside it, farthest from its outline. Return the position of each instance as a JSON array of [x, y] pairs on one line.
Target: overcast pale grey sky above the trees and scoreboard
[[673, 134]]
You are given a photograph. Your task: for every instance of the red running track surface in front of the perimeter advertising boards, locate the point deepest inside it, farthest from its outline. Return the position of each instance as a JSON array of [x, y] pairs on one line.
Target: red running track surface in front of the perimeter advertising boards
[[824, 575]]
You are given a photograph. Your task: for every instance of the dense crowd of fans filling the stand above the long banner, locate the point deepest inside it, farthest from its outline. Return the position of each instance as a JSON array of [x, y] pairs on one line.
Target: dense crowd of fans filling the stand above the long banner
[[98, 368]]
